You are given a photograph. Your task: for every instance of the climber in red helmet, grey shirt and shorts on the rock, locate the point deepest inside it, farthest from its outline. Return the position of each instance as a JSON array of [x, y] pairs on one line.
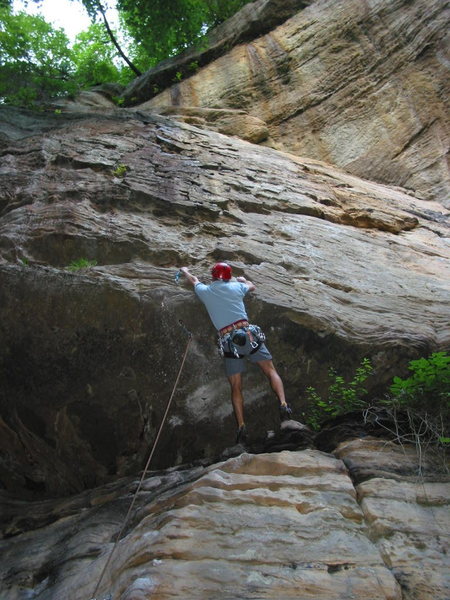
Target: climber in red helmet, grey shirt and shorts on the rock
[[238, 339]]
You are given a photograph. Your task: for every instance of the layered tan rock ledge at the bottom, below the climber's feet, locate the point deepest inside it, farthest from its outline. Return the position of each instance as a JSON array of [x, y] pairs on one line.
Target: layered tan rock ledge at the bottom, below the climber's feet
[[304, 525]]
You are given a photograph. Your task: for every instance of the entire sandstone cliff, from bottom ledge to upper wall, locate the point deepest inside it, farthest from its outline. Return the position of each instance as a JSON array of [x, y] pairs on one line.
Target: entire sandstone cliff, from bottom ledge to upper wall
[[243, 161]]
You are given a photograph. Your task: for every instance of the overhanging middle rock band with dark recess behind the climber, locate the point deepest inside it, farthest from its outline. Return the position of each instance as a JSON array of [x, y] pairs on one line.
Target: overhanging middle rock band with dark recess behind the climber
[[344, 268]]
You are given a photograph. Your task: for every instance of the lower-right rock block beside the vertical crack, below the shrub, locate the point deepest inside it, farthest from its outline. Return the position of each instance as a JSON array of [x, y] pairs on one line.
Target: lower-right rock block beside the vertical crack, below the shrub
[[407, 514]]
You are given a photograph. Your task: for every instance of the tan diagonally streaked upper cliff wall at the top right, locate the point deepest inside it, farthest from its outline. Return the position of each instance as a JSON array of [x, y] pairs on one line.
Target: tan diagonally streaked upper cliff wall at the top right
[[361, 85]]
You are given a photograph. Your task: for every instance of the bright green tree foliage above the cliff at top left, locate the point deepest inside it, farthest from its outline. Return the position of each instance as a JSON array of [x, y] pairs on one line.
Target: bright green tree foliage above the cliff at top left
[[37, 61]]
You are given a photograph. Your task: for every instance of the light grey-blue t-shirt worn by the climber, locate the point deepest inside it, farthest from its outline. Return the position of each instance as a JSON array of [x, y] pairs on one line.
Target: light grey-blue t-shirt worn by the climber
[[224, 301]]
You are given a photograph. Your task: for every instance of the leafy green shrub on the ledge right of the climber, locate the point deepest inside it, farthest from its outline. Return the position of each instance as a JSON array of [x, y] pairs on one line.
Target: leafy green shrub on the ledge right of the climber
[[415, 411]]
